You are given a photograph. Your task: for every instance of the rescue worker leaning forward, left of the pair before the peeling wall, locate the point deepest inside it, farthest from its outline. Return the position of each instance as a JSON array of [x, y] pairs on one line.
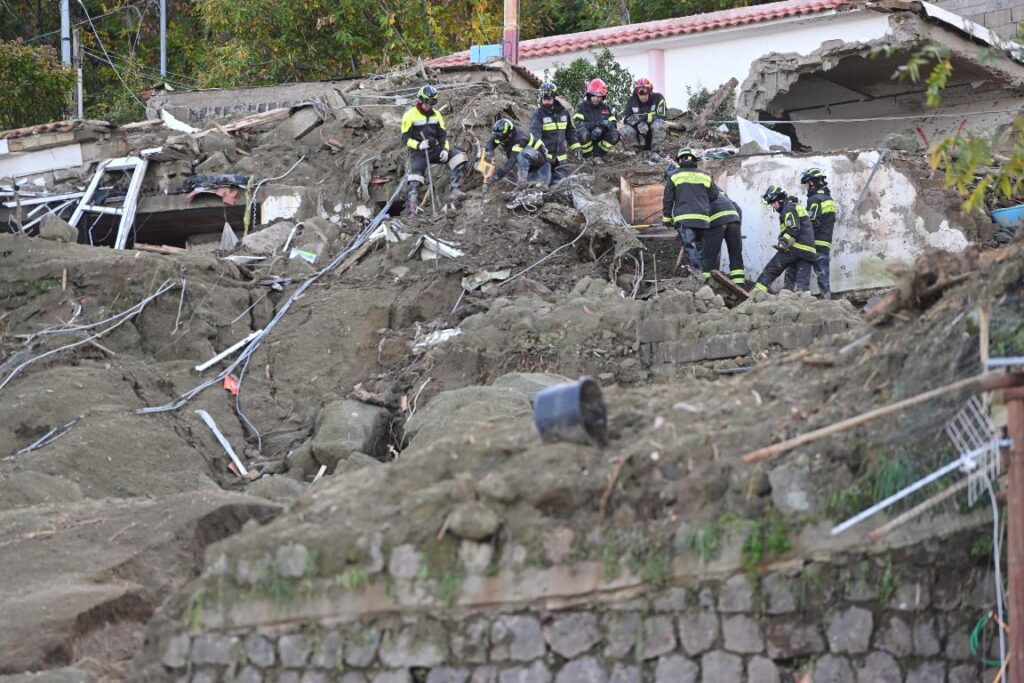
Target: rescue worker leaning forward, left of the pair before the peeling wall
[[796, 242]]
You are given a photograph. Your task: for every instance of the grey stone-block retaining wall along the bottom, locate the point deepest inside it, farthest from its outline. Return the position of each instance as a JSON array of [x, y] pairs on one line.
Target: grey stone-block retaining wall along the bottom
[[858, 622]]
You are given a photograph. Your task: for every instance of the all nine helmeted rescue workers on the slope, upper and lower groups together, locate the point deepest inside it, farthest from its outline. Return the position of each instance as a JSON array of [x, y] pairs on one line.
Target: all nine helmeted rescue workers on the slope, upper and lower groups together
[[703, 216]]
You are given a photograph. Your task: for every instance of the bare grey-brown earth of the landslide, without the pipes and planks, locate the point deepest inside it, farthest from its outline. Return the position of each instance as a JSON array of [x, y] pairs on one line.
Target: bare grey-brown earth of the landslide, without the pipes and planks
[[101, 526]]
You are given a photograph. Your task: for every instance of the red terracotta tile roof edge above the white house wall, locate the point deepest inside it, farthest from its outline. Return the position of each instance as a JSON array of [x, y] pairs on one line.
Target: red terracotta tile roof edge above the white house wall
[[632, 33]]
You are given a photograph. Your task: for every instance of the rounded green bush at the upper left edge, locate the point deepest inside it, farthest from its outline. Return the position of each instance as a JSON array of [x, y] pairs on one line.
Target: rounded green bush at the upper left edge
[[36, 88]]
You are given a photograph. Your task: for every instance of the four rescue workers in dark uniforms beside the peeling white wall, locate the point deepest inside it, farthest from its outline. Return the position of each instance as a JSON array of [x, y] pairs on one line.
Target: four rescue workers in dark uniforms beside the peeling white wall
[[703, 217]]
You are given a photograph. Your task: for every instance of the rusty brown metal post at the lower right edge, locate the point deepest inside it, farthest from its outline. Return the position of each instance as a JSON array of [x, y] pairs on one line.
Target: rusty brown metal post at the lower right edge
[[1015, 531]]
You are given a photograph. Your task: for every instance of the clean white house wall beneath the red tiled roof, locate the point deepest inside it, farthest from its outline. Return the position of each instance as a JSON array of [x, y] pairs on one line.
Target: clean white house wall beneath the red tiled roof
[[711, 59]]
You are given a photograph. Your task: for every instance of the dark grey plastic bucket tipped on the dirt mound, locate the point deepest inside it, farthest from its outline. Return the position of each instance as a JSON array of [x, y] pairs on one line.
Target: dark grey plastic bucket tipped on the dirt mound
[[573, 412]]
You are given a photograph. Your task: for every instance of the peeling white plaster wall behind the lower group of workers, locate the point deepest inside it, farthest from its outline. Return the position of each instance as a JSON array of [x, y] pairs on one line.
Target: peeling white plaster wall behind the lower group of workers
[[893, 224]]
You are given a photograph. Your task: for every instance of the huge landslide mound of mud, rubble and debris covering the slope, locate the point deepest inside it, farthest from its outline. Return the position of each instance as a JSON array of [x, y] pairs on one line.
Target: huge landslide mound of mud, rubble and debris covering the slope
[[390, 406]]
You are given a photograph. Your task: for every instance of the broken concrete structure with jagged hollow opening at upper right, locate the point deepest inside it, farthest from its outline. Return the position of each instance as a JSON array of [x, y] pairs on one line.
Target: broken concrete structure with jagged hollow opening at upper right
[[856, 82]]
